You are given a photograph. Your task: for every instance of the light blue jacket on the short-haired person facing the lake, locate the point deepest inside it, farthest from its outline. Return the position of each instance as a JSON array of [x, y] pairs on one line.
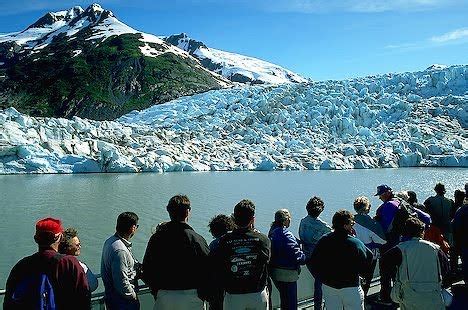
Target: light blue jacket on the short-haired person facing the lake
[[310, 231]]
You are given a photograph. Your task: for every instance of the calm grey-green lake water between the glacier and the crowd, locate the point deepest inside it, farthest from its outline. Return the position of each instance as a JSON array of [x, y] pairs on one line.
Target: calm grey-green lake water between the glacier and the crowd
[[91, 202]]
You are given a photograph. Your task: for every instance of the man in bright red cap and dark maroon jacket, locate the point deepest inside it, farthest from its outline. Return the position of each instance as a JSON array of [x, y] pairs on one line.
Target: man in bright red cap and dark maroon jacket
[[67, 277]]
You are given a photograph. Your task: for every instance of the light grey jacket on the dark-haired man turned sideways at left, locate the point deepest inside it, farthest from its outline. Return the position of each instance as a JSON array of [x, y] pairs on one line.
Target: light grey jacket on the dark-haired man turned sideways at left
[[118, 268]]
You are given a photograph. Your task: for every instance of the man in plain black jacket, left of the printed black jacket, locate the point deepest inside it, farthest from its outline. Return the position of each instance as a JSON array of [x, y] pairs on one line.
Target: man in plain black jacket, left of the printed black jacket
[[176, 261]]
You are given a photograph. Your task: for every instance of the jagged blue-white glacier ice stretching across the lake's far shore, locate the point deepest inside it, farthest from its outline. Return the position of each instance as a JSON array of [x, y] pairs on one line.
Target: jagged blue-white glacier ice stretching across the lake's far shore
[[413, 119]]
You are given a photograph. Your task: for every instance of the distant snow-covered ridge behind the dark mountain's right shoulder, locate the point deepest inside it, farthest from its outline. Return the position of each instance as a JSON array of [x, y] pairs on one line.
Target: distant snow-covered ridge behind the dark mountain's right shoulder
[[235, 67]]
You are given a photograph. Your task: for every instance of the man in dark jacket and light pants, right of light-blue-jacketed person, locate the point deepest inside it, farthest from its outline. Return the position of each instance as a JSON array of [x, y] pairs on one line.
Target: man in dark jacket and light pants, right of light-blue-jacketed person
[[338, 260]]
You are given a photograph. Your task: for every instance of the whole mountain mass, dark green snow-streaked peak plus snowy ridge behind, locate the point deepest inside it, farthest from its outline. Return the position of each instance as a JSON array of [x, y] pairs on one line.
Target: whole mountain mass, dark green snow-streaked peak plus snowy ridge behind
[[87, 63]]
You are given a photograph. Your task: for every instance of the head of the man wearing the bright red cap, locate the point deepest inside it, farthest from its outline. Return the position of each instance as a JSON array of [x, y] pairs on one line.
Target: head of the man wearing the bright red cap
[[48, 233]]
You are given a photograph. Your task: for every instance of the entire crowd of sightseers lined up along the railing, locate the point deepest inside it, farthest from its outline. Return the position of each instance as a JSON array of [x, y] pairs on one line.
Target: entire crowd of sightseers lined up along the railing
[[417, 247]]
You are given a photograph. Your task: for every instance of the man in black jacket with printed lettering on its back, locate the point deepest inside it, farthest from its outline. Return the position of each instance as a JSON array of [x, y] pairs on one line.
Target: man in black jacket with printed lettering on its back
[[241, 261]]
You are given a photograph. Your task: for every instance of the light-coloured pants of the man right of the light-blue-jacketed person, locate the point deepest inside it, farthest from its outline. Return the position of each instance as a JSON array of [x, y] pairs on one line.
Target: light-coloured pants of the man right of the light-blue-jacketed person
[[348, 298]]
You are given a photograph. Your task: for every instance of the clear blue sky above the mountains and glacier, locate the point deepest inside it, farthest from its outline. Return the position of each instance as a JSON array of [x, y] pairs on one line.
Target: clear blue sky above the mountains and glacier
[[320, 39]]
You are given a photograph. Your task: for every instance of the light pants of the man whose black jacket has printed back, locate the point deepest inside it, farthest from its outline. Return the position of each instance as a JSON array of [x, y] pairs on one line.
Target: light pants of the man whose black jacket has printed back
[[250, 301]]
